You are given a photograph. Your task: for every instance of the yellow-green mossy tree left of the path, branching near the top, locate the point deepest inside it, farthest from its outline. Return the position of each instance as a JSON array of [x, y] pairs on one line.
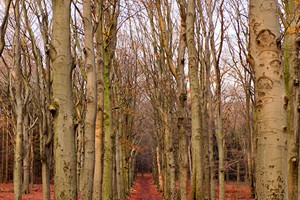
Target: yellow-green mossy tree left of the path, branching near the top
[[109, 44]]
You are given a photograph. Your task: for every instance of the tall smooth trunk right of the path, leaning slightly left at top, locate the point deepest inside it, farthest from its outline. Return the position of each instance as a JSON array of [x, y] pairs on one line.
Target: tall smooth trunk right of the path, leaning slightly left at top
[[197, 168]]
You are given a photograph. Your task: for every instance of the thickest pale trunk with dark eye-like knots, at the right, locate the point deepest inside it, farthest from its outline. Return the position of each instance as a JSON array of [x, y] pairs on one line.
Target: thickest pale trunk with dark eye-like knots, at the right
[[266, 59]]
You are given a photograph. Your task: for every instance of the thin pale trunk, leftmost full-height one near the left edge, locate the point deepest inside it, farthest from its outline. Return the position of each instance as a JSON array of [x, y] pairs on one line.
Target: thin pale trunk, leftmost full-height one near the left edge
[[19, 108]]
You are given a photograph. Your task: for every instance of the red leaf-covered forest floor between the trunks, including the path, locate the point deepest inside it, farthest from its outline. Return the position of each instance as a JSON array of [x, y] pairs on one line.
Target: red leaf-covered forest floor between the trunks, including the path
[[143, 189]]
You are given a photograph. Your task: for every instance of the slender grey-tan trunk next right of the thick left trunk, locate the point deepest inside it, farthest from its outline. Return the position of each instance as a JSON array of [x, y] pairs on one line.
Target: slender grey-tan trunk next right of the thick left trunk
[[87, 173]]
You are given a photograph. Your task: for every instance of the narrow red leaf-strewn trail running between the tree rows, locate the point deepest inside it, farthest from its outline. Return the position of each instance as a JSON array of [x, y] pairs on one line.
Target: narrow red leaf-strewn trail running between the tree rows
[[144, 189]]
